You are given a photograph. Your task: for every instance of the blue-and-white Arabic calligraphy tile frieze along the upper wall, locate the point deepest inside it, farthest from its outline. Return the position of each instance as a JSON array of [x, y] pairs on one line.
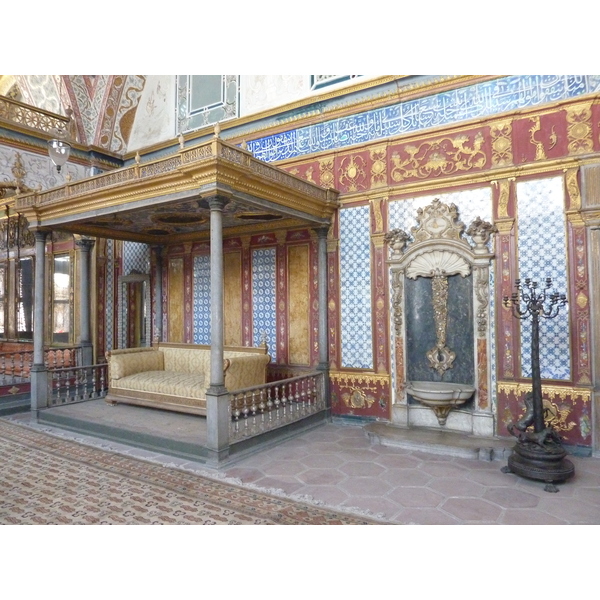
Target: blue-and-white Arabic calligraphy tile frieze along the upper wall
[[445, 108]]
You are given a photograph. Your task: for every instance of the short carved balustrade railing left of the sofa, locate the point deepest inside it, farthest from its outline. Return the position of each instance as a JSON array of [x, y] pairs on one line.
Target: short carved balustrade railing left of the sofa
[[77, 384]]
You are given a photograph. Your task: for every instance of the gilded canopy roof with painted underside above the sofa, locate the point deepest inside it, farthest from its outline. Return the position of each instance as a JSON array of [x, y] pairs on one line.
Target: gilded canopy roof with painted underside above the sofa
[[166, 201]]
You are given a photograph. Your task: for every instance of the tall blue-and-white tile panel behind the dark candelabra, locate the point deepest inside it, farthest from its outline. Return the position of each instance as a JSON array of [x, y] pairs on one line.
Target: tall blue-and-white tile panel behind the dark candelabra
[[542, 253]]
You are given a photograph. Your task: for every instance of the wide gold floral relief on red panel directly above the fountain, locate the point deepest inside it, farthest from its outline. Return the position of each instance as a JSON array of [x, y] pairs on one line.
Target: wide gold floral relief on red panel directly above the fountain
[[440, 157]]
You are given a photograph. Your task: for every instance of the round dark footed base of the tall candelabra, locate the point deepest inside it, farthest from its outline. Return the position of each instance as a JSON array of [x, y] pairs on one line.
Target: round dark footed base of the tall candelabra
[[545, 462]]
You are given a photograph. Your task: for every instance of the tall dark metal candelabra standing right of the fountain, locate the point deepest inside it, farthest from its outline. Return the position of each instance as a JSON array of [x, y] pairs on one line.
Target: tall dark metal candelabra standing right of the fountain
[[538, 453]]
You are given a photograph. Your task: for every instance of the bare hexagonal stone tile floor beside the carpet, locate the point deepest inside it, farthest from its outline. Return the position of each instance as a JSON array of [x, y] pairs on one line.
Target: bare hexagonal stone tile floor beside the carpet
[[337, 465]]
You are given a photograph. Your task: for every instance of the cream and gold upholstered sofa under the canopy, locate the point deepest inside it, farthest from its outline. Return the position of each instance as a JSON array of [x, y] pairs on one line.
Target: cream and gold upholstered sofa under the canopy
[[176, 376]]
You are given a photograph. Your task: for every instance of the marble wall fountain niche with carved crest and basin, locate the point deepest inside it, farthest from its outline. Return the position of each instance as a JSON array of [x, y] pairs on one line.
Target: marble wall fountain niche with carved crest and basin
[[440, 302]]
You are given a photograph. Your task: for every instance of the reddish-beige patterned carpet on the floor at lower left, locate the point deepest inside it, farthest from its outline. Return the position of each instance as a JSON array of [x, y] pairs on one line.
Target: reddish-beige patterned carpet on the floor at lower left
[[49, 480]]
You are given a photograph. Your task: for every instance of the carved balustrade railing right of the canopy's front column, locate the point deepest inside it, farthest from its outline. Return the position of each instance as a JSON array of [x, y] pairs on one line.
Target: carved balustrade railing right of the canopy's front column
[[262, 408]]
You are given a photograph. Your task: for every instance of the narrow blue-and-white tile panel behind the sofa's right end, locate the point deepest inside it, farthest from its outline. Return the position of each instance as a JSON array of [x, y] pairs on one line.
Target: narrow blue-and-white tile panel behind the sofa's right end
[[264, 299]]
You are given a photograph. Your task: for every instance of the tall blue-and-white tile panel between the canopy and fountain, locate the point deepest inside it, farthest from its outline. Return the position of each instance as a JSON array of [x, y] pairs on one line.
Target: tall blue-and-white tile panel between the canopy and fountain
[[355, 288]]
